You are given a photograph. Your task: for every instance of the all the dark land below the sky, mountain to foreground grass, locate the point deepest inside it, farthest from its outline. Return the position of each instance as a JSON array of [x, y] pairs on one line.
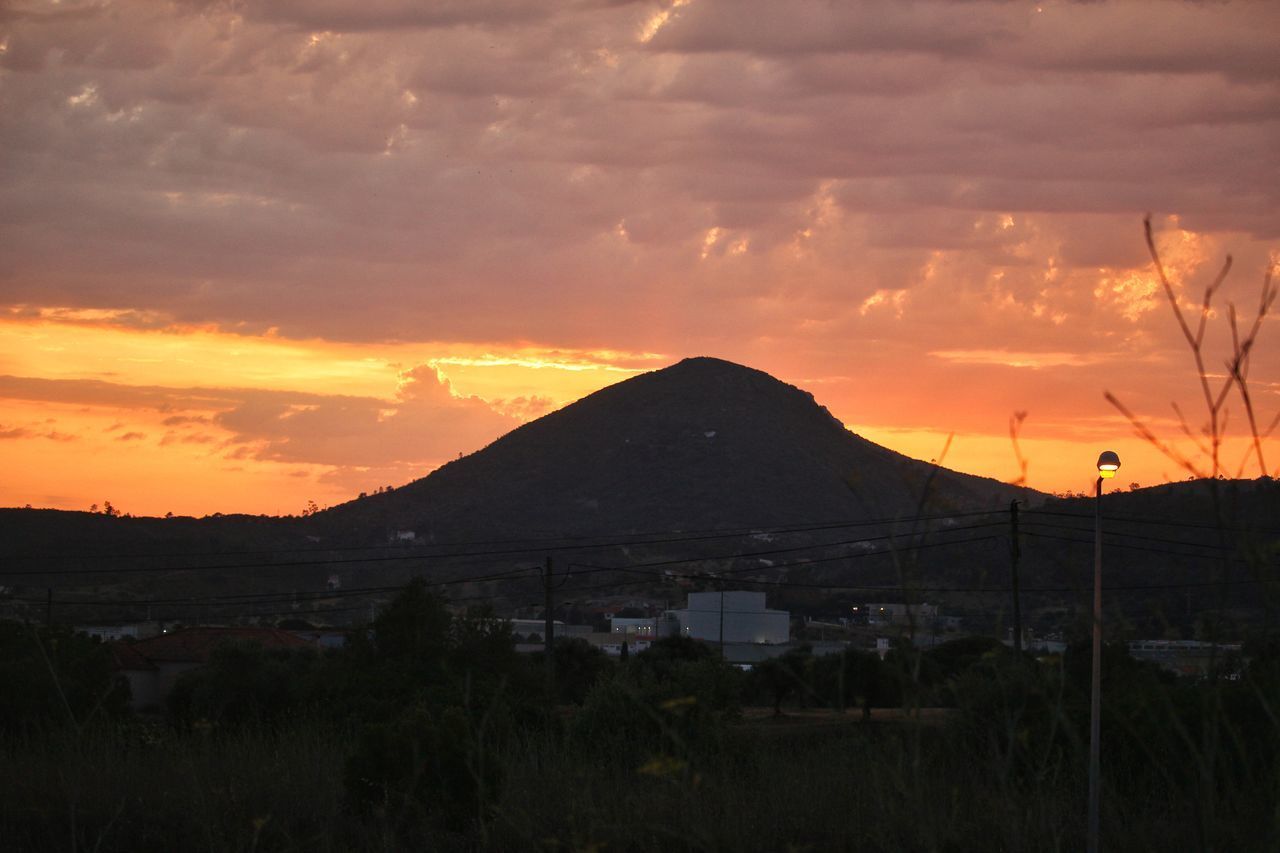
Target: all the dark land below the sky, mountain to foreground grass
[[374, 676]]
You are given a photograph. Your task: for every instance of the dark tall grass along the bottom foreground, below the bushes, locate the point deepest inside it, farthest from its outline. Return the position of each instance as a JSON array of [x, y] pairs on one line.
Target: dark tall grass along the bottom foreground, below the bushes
[[847, 786]]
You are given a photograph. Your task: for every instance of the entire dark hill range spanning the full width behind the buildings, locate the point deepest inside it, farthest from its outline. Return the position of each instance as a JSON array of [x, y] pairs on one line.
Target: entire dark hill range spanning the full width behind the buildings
[[702, 445]]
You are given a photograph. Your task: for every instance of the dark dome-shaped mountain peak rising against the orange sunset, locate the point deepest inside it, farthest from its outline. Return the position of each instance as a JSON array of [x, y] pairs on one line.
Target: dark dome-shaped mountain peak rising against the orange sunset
[[703, 444]]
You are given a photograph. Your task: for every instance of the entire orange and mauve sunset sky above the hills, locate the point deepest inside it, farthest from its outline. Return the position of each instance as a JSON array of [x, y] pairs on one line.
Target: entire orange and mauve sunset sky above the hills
[[257, 254]]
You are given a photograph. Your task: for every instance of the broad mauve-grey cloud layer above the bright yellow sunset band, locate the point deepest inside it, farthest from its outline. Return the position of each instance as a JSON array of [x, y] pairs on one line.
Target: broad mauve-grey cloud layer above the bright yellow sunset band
[[497, 171]]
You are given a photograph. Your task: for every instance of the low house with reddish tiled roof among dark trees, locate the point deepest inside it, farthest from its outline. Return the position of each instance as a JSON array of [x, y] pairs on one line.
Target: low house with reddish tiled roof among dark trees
[[153, 665]]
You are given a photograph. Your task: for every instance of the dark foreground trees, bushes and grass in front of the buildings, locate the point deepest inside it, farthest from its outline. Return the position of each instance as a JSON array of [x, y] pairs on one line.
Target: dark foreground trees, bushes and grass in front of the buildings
[[431, 733]]
